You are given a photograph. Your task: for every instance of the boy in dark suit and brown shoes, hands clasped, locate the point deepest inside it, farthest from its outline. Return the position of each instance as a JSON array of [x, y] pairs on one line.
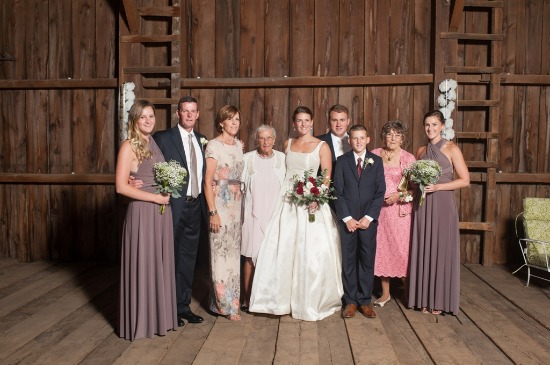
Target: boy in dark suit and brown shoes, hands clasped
[[359, 188]]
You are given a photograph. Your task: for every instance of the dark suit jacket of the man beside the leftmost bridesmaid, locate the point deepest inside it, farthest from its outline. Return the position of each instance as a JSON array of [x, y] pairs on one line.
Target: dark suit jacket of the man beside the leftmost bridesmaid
[[171, 145]]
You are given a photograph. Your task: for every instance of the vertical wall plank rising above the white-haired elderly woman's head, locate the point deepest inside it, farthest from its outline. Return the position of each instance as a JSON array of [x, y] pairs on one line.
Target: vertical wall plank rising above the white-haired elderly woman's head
[[251, 65]]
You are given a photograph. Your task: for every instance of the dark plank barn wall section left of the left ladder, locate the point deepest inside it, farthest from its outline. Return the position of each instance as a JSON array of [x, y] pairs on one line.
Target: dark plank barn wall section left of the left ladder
[[59, 130]]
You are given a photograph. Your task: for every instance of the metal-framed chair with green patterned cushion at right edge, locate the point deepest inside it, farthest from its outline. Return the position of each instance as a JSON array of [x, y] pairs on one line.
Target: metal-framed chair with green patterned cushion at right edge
[[535, 246]]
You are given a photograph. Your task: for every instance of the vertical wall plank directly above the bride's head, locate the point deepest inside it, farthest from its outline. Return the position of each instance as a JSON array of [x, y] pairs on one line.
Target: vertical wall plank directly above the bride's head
[[301, 48]]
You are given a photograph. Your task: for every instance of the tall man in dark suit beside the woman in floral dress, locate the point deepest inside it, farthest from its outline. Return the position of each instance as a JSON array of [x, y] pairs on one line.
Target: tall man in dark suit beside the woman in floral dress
[[183, 144]]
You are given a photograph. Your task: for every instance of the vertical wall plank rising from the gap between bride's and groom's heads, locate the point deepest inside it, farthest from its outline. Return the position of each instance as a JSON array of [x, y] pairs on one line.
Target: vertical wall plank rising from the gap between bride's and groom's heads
[[327, 50]]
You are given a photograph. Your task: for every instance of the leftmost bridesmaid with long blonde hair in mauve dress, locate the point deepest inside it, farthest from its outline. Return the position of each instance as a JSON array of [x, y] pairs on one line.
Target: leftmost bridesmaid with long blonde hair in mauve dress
[[147, 281]]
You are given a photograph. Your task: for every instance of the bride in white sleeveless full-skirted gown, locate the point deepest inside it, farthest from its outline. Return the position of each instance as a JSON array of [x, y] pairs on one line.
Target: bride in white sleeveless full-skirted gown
[[298, 270]]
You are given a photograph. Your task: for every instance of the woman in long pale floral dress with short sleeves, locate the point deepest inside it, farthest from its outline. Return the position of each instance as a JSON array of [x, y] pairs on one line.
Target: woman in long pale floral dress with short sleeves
[[222, 186]]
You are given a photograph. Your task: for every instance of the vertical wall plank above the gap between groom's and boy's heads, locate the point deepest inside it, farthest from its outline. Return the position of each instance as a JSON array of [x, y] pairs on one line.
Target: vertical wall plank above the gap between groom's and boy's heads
[[351, 51]]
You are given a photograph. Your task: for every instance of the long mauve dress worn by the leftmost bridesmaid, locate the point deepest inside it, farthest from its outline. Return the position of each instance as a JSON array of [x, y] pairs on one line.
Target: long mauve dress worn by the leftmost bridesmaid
[[147, 274]]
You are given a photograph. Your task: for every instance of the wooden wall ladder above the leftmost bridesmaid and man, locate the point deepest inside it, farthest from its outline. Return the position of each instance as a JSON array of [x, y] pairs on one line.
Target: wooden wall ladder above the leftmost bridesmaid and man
[[140, 33]]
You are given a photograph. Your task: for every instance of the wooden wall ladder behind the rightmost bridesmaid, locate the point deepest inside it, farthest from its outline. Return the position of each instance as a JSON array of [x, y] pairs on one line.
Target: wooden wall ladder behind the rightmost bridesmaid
[[489, 75]]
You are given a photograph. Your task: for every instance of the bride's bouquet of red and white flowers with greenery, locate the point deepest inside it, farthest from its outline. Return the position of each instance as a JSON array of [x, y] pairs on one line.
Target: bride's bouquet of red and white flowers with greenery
[[309, 189]]
